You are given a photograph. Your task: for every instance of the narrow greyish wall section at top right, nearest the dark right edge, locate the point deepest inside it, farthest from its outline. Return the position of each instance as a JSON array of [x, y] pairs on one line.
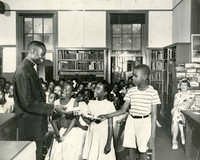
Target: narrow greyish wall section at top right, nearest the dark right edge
[[181, 22]]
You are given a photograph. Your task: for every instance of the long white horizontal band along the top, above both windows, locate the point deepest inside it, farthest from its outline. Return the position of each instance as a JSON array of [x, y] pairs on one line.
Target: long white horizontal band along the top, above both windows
[[89, 4]]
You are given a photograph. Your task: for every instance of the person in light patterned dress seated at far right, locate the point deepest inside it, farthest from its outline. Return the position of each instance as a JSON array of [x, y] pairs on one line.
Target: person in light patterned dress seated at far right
[[183, 100]]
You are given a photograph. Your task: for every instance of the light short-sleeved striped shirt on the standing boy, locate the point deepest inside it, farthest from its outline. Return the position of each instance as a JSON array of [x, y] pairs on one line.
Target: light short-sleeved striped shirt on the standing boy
[[142, 101]]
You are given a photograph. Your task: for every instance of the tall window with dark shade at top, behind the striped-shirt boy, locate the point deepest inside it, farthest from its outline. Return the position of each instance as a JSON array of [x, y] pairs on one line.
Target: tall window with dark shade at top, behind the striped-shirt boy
[[127, 43]]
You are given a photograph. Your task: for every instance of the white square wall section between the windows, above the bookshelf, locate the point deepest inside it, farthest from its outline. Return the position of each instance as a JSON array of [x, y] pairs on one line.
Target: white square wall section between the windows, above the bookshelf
[[81, 29]]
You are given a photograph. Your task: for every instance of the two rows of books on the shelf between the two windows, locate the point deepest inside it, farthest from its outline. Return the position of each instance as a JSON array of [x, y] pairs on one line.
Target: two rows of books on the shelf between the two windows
[[80, 60]]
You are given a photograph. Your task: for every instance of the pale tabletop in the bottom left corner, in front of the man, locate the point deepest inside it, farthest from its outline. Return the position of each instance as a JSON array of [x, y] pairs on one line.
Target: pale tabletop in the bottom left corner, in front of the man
[[17, 150]]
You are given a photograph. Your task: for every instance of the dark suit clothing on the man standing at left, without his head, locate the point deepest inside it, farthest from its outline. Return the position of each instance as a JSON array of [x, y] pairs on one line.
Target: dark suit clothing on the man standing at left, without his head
[[29, 100]]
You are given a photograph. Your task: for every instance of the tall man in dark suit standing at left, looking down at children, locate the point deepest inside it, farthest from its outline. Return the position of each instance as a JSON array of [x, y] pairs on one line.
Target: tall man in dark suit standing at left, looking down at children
[[29, 98]]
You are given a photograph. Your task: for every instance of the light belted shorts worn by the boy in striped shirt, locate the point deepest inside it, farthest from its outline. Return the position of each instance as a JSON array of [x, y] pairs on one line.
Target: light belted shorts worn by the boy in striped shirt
[[137, 133]]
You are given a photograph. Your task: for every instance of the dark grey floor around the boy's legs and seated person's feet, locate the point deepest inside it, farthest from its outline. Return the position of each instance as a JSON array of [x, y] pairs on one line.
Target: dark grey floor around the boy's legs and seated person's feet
[[163, 147]]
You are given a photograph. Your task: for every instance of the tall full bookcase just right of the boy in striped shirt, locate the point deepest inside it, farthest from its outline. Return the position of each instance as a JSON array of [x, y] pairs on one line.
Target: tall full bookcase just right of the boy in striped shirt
[[162, 65]]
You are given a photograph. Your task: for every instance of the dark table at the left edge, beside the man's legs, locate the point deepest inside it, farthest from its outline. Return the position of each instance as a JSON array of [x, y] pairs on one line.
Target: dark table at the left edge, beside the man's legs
[[8, 126]]
